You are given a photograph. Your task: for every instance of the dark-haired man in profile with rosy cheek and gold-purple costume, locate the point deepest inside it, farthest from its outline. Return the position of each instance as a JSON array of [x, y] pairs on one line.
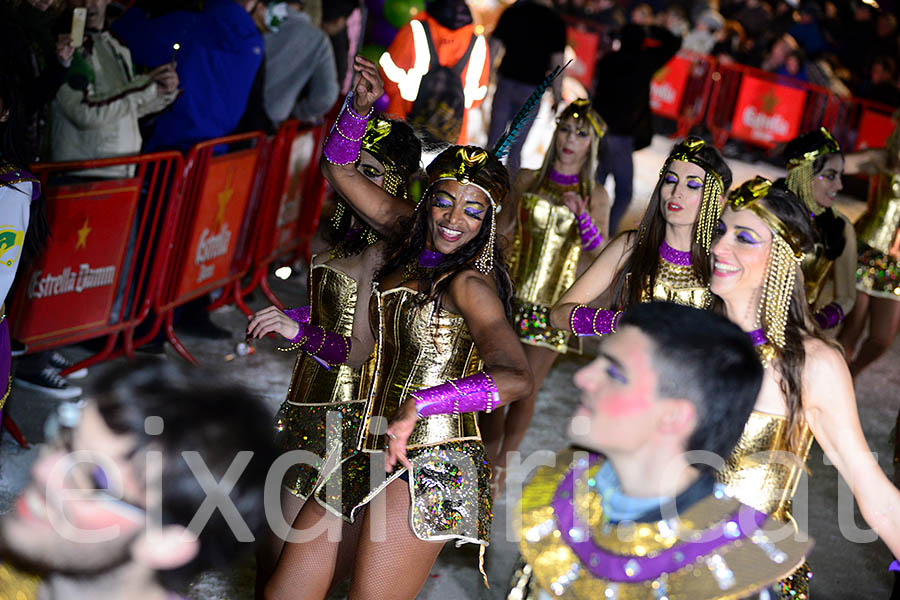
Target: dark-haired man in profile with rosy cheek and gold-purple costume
[[633, 517]]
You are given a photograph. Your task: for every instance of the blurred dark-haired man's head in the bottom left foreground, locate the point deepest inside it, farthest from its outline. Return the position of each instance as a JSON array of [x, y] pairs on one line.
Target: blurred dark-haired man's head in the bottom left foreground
[[109, 512]]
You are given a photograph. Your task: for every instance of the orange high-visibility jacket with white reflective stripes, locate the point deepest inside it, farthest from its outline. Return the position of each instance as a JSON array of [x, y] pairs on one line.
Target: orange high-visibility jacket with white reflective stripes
[[408, 59]]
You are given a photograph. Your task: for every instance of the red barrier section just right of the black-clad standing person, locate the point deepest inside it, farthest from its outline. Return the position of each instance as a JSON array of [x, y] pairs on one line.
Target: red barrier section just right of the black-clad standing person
[[680, 90]]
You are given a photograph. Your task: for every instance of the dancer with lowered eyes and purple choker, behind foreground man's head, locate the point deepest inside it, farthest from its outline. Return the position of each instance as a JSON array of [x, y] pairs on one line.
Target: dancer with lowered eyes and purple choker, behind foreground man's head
[[667, 258]]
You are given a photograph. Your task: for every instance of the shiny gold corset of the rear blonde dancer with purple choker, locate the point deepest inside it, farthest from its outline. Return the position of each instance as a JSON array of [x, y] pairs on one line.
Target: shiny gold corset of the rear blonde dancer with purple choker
[[548, 246]]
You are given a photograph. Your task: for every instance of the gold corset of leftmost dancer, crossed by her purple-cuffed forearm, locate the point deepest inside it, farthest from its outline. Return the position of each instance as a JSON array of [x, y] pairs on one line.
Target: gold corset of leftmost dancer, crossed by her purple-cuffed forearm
[[332, 298]]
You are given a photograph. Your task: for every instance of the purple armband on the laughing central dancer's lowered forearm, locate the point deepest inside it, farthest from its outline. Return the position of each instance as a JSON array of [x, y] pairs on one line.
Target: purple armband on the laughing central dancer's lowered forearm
[[470, 394]]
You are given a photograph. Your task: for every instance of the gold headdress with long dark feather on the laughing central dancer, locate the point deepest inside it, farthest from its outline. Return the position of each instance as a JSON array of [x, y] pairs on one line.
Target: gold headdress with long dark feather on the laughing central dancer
[[467, 168]]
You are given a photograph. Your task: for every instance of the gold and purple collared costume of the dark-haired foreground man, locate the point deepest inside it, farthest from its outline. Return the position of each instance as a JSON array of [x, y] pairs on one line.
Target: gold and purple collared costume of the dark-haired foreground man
[[570, 549]]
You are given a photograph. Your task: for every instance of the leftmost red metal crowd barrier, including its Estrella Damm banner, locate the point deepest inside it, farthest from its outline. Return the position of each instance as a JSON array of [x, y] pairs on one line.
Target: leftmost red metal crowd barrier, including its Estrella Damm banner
[[94, 279]]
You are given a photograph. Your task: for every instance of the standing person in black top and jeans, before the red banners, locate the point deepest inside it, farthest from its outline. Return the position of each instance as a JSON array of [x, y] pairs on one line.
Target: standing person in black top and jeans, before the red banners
[[623, 100]]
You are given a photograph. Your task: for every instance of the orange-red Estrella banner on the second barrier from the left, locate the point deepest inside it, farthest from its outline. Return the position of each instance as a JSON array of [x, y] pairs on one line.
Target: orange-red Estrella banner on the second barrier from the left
[[221, 204]]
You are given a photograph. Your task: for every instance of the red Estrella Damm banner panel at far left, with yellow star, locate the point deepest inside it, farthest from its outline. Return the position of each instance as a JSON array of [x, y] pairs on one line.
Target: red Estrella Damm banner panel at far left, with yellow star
[[72, 286]]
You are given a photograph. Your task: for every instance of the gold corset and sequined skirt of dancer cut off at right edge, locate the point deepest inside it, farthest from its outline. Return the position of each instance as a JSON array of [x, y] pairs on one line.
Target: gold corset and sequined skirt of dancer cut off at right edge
[[877, 273]]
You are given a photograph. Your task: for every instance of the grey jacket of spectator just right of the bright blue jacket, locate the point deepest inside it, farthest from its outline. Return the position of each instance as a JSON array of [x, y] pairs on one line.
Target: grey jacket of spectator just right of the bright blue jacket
[[300, 71]]
